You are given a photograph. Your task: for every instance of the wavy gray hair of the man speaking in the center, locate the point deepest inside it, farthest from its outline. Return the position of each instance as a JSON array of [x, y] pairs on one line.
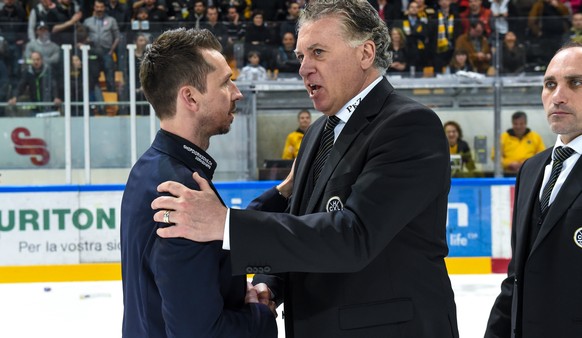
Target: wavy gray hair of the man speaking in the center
[[361, 23]]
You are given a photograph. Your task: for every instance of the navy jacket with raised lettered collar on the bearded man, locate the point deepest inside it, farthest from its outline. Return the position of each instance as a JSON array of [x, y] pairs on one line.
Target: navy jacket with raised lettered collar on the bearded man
[[176, 287]]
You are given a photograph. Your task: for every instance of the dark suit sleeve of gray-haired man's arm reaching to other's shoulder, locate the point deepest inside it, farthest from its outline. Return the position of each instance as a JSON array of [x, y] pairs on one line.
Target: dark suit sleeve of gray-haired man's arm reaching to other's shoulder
[[403, 172]]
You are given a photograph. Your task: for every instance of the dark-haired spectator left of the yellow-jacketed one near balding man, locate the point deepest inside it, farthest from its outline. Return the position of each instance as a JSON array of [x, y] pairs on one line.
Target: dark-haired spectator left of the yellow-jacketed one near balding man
[[458, 146]]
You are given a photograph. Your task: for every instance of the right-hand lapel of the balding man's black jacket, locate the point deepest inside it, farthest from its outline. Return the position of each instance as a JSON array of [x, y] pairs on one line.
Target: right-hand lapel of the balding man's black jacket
[[571, 189]]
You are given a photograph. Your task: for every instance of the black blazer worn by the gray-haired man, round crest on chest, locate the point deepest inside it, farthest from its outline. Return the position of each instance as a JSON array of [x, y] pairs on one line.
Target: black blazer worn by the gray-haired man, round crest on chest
[[366, 246]]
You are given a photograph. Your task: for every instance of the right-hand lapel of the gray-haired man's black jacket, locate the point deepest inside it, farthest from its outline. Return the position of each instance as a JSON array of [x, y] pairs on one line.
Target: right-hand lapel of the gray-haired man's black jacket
[[359, 120]]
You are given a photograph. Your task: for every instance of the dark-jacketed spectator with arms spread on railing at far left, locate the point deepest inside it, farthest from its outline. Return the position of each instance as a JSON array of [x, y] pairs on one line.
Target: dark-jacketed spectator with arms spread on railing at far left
[[37, 84]]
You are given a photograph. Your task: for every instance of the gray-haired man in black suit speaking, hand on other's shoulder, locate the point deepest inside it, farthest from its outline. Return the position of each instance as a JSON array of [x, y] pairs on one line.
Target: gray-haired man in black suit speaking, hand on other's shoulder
[[364, 243]]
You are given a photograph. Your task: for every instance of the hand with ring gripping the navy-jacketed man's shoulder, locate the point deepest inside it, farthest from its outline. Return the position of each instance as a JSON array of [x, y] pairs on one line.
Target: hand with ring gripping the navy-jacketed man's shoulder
[[196, 215]]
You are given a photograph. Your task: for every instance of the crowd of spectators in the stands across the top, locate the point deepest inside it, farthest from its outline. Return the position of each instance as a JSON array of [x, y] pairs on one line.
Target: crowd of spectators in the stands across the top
[[429, 37]]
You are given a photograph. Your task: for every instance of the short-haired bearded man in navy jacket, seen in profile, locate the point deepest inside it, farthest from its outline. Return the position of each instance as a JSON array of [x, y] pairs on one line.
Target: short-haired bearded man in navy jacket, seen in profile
[[175, 287]]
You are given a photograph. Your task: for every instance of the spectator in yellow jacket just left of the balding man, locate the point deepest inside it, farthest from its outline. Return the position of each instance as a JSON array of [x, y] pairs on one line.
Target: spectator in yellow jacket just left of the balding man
[[518, 144]]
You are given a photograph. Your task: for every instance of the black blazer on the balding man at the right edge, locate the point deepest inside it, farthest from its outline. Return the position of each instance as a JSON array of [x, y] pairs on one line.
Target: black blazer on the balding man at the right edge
[[542, 294]]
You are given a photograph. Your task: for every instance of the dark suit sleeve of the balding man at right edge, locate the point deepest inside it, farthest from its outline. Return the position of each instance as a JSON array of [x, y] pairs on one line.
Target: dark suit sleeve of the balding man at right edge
[[499, 323]]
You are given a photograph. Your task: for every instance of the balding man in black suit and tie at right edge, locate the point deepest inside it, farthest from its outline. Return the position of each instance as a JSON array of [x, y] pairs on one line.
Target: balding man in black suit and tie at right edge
[[541, 295]]
